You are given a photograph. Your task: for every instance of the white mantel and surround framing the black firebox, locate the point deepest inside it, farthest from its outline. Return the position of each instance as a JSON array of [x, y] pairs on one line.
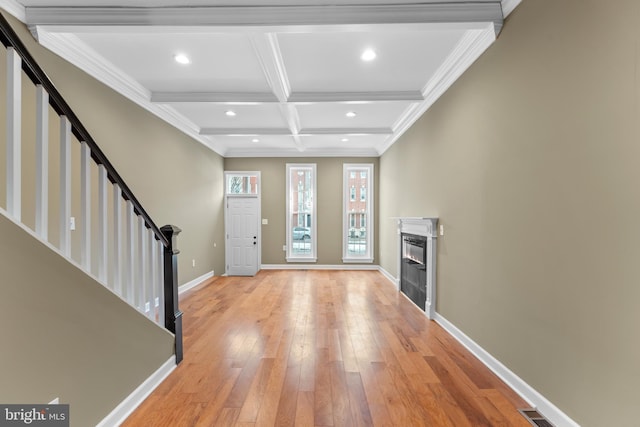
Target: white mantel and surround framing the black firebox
[[427, 227]]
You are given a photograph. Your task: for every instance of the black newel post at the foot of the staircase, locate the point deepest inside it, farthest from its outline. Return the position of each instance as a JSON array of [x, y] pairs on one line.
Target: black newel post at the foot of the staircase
[[172, 314]]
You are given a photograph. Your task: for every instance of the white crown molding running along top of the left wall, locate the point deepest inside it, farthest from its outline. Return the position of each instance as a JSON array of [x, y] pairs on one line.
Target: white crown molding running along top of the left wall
[[82, 56]]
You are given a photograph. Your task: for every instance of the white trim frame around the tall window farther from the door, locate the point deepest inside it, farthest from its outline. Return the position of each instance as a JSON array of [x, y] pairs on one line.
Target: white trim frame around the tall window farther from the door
[[368, 256]]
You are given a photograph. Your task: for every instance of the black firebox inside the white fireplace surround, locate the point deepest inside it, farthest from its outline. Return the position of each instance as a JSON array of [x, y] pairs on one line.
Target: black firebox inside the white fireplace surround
[[413, 269]]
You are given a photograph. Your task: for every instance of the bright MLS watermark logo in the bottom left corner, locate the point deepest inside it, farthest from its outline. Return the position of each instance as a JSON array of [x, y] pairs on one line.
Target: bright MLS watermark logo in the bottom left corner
[[34, 415]]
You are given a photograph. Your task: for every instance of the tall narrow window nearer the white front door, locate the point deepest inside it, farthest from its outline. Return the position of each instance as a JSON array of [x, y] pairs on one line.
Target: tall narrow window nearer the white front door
[[301, 213]]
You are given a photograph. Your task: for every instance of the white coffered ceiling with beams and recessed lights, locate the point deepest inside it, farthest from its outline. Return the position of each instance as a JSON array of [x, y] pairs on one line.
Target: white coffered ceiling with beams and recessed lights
[[276, 78]]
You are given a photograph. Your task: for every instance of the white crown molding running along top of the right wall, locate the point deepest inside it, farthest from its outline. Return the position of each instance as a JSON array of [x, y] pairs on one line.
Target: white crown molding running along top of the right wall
[[470, 47]]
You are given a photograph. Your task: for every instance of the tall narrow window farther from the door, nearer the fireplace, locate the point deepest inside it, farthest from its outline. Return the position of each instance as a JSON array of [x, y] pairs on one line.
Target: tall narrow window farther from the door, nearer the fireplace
[[357, 213]]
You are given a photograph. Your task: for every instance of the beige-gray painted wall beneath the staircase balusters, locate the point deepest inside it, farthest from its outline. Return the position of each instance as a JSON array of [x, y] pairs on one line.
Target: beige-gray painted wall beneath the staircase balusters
[[64, 335]]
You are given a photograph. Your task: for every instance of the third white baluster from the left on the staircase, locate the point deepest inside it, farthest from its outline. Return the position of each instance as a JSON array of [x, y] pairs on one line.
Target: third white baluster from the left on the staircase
[[65, 186]]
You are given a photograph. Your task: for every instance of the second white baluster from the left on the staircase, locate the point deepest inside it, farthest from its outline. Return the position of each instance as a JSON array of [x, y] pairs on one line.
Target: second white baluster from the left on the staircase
[[42, 163]]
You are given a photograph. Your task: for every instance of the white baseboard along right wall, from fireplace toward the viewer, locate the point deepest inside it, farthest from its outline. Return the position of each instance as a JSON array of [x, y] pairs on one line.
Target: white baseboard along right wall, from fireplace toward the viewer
[[528, 393]]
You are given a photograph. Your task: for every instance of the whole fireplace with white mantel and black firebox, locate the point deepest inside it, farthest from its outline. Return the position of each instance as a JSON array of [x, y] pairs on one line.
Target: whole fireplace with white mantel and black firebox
[[417, 261]]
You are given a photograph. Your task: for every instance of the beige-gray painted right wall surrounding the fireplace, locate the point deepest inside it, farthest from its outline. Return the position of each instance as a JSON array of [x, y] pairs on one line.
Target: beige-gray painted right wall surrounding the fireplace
[[531, 162]]
